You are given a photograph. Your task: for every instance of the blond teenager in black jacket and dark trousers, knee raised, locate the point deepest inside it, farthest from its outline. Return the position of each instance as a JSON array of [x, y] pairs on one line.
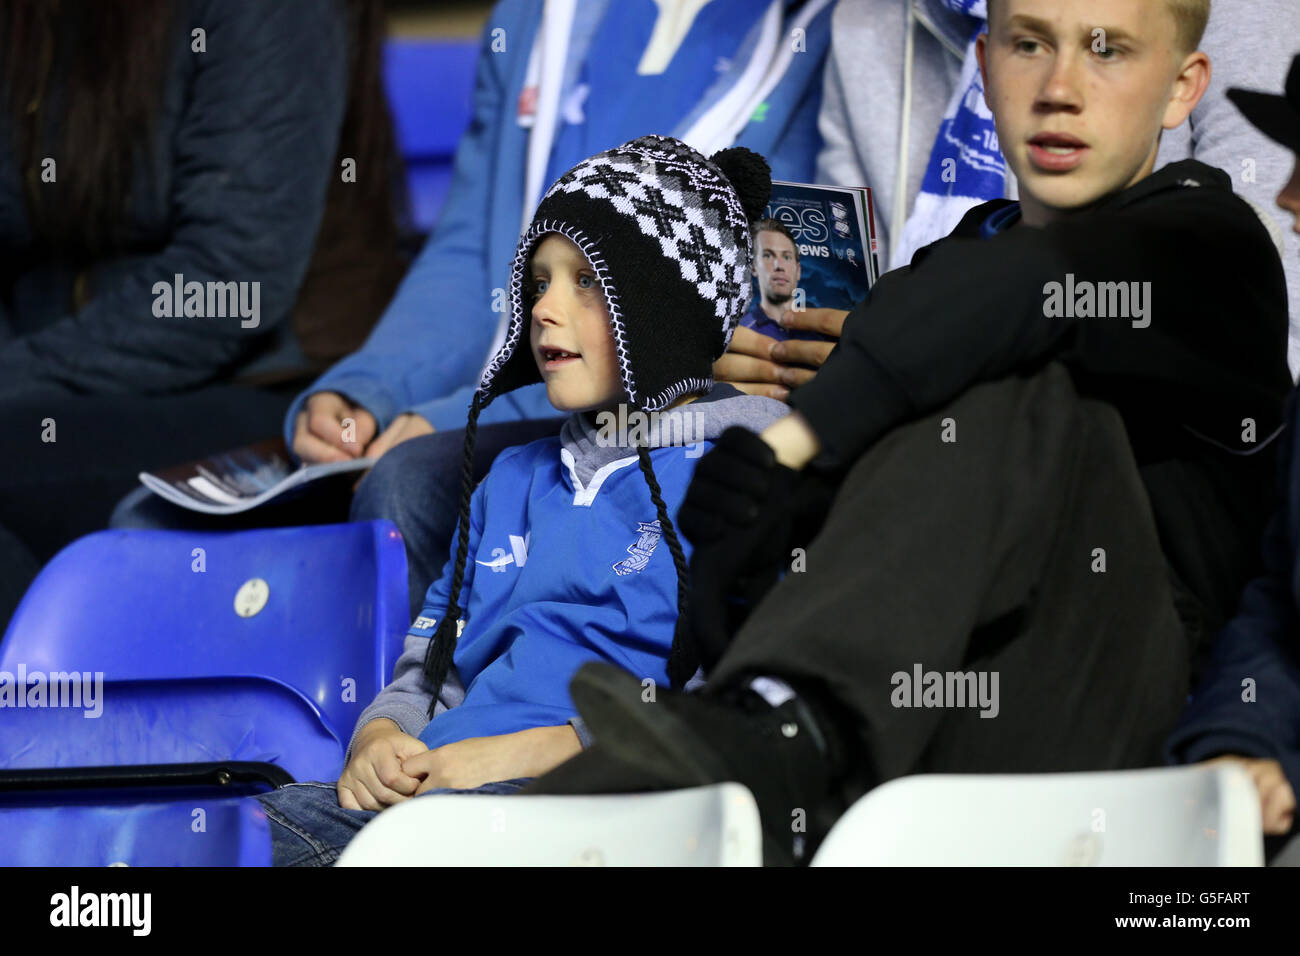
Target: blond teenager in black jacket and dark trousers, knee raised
[[1054, 474]]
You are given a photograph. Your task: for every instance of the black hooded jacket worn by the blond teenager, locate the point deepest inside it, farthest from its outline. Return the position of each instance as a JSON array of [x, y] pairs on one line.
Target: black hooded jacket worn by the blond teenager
[[1212, 357]]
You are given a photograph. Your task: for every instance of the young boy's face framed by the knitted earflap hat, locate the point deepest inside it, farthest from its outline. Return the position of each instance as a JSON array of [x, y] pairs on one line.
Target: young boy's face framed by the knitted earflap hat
[[571, 336]]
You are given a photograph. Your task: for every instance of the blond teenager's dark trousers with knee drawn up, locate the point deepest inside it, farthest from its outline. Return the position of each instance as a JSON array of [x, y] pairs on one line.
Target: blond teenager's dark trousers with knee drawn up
[[982, 555]]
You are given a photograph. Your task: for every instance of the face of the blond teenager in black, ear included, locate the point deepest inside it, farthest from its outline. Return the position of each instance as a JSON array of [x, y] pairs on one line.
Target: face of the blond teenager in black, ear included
[[1081, 92]]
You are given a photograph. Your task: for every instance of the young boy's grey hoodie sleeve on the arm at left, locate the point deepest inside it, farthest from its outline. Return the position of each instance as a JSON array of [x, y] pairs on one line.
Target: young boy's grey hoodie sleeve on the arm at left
[[406, 699]]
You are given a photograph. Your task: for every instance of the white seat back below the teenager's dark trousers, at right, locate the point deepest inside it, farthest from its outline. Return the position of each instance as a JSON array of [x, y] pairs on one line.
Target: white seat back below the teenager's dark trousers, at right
[[1163, 817]]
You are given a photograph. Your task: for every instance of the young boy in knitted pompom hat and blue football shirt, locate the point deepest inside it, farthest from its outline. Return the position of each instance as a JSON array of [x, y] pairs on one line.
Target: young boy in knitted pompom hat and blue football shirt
[[625, 291]]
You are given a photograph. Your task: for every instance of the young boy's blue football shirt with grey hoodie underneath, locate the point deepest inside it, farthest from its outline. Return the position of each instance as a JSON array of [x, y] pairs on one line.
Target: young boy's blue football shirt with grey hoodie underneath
[[566, 565]]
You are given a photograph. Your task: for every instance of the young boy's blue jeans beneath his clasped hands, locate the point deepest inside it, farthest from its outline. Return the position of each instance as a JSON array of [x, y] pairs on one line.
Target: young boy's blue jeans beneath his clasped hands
[[310, 829]]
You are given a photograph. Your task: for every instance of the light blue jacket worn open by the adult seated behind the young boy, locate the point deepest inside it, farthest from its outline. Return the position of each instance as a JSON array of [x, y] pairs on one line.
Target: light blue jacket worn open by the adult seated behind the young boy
[[435, 339]]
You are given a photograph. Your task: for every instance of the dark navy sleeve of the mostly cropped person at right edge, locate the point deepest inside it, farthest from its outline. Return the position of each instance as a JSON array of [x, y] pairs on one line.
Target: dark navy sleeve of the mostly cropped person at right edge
[[1249, 704]]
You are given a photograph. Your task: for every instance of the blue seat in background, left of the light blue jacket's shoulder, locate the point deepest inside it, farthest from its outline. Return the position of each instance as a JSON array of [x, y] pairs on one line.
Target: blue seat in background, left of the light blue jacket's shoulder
[[431, 85]]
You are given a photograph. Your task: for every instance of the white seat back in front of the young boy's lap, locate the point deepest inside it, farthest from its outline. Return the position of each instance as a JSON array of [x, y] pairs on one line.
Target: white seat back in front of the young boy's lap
[[704, 827]]
